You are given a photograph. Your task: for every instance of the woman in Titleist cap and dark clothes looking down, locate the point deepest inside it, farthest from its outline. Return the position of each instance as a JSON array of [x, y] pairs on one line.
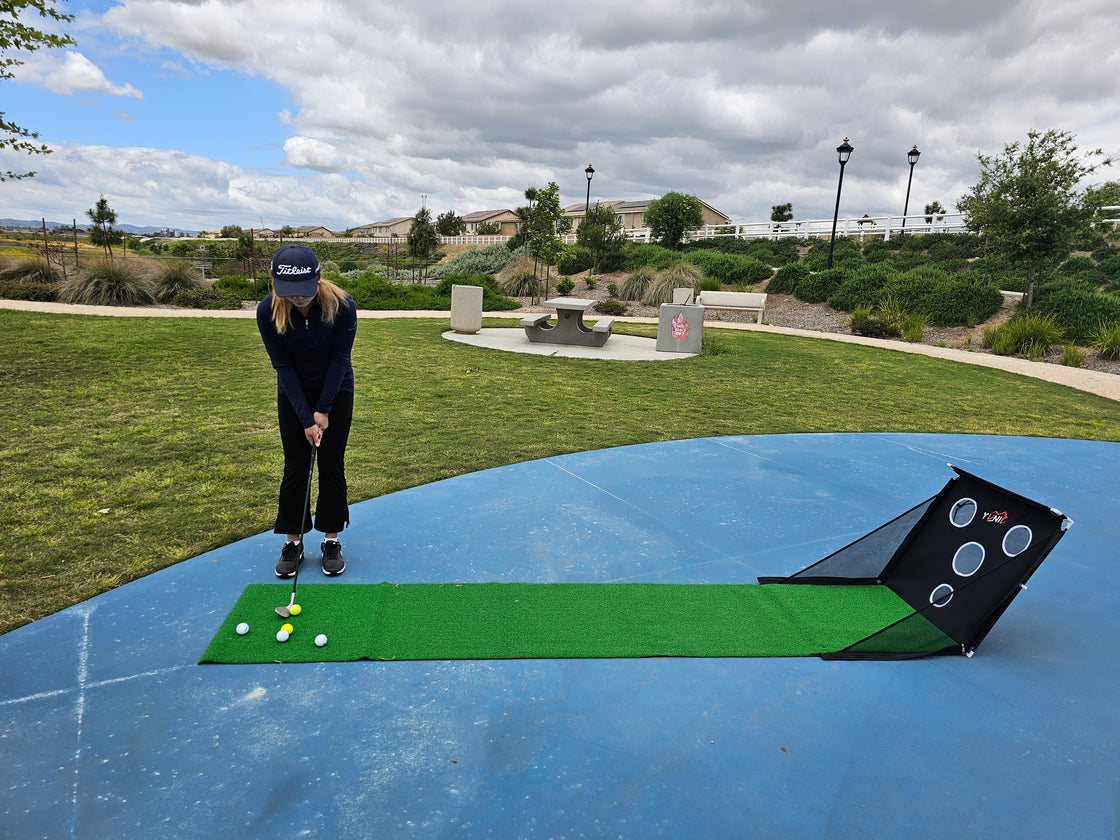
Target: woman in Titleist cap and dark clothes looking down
[[309, 326]]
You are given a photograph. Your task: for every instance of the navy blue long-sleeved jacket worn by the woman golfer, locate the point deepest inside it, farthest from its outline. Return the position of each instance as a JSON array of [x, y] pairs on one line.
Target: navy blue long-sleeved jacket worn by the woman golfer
[[313, 359]]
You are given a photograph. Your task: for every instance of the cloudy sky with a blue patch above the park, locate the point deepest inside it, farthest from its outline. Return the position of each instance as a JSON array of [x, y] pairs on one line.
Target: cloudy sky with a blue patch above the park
[[200, 114]]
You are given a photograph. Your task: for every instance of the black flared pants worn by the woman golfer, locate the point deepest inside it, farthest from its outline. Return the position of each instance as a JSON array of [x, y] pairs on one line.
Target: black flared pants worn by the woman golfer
[[332, 514]]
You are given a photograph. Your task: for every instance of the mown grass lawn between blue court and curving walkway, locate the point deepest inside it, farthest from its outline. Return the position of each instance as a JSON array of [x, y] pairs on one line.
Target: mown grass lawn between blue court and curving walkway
[[133, 444]]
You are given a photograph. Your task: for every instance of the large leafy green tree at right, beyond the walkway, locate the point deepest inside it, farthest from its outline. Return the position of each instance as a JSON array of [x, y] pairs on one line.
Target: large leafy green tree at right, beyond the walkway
[[1028, 203]]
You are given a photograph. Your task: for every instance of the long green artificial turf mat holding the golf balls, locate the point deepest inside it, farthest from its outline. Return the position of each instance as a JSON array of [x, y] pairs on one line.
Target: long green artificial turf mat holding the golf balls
[[386, 622]]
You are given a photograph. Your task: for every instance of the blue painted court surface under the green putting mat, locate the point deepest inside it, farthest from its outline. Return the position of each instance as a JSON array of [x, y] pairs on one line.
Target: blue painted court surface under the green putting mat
[[110, 730]]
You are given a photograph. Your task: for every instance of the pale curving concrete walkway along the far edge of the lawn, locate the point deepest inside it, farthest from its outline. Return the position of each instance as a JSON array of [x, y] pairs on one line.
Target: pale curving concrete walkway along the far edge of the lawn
[[1096, 382]]
